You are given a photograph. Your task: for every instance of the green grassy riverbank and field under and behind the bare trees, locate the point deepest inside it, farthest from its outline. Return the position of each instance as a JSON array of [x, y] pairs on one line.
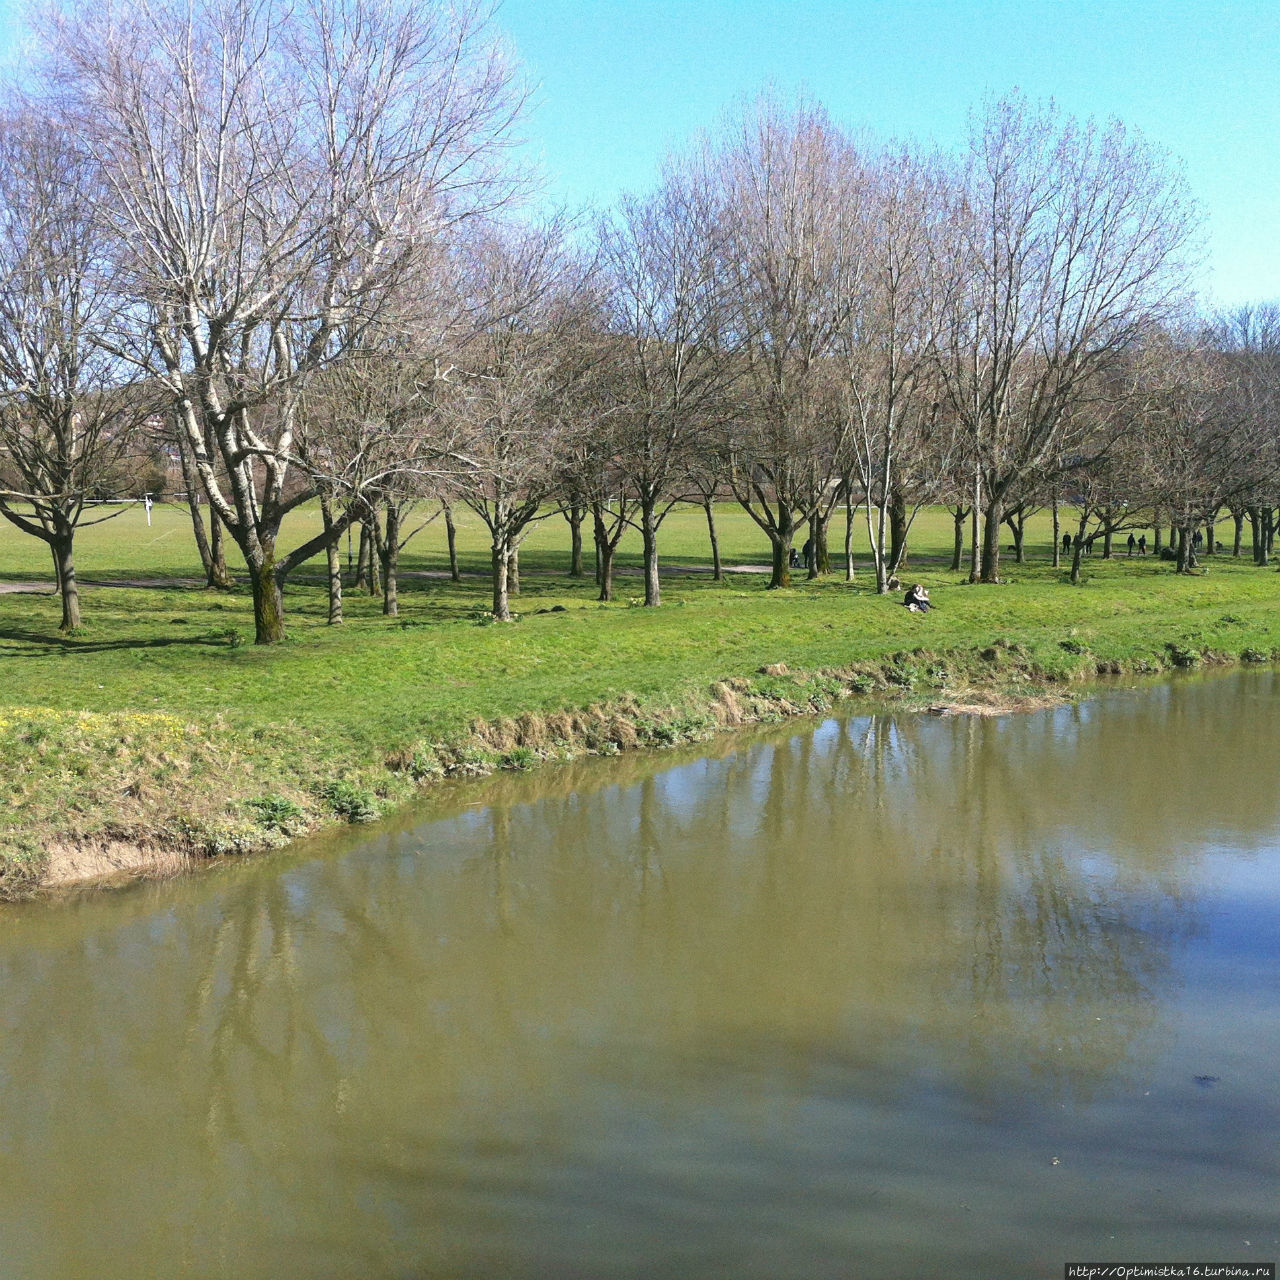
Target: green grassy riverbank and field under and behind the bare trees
[[162, 729]]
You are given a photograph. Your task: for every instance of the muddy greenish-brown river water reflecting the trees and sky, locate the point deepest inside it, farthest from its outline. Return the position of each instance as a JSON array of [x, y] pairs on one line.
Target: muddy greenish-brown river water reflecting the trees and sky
[[886, 996]]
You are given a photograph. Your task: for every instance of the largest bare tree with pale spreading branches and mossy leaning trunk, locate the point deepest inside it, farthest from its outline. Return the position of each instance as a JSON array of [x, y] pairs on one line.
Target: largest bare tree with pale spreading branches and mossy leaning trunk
[[272, 175]]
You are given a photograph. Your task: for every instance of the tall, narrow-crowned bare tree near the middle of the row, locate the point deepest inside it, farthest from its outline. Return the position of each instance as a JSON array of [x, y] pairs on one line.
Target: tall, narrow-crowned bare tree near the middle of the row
[[788, 189]]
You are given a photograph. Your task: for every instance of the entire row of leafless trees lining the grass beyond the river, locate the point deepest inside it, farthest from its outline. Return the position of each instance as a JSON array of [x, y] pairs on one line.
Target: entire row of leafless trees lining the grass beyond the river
[[290, 239]]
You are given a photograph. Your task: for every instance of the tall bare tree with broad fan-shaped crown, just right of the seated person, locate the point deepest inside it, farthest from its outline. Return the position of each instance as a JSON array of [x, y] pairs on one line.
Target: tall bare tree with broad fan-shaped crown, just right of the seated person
[[1068, 244]]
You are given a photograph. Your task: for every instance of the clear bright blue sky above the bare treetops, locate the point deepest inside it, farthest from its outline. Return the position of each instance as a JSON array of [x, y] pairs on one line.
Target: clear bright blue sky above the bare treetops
[[621, 83]]
